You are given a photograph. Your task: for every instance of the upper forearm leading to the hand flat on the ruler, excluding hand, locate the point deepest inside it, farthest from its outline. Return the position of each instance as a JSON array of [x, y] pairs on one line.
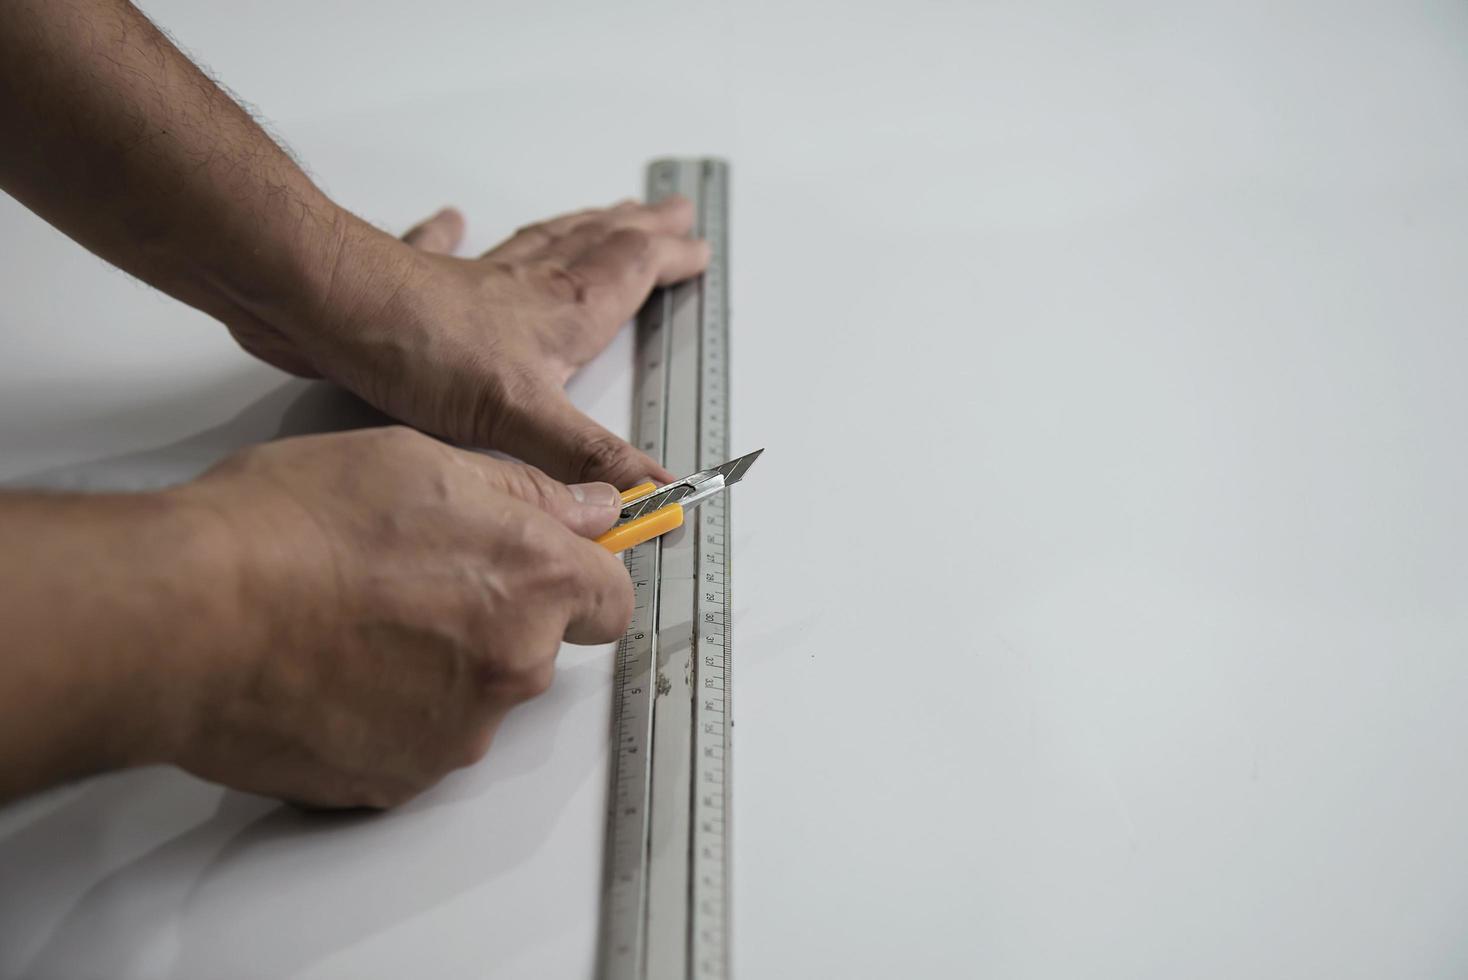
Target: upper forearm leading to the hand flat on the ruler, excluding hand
[[114, 136]]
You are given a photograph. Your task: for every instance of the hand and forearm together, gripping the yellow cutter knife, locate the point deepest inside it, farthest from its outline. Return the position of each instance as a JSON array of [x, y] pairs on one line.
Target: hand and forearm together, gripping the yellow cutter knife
[[335, 620]]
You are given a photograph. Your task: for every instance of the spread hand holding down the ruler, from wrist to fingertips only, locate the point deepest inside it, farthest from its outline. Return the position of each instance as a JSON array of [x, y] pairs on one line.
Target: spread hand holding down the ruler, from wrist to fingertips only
[[479, 351]]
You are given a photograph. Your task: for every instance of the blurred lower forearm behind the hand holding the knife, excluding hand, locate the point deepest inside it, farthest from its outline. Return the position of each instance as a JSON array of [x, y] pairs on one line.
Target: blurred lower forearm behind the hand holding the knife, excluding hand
[[112, 610]]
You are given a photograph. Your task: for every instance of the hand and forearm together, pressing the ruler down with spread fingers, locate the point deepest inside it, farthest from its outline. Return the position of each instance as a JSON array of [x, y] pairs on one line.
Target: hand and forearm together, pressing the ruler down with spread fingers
[[112, 136]]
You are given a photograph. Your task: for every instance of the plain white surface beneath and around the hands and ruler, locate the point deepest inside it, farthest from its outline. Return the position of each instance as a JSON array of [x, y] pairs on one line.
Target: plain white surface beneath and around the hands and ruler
[[1102, 601]]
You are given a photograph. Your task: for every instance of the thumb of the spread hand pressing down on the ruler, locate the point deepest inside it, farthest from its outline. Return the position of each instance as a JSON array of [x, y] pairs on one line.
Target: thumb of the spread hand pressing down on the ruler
[[550, 432]]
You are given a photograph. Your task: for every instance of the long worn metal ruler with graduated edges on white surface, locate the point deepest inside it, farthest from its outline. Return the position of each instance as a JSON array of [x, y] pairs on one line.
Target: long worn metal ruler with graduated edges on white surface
[[666, 888]]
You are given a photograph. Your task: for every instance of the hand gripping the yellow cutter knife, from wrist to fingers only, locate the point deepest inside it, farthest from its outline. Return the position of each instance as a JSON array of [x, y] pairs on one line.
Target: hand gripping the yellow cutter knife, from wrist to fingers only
[[404, 596]]
